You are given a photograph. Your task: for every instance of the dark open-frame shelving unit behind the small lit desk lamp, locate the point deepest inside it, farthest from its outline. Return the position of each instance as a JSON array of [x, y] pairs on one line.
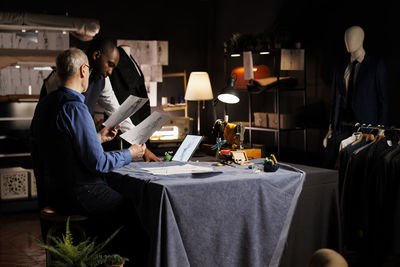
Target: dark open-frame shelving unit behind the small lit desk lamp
[[279, 89]]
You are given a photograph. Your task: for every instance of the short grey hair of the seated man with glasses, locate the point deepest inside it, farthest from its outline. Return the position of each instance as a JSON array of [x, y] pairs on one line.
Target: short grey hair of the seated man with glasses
[[68, 63]]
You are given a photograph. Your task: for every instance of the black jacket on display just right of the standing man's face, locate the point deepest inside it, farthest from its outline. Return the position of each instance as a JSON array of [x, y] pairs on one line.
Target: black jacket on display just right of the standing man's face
[[126, 81]]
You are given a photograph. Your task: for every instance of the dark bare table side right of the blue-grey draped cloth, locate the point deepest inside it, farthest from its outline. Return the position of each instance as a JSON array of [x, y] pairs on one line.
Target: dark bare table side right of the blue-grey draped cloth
[[316, 222]]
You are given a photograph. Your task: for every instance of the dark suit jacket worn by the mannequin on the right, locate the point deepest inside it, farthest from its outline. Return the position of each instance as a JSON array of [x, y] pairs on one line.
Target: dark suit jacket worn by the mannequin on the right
[[370, 94]]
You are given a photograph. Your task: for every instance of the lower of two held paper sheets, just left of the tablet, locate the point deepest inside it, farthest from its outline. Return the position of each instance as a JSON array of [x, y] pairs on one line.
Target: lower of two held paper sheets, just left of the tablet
[[142, 132]]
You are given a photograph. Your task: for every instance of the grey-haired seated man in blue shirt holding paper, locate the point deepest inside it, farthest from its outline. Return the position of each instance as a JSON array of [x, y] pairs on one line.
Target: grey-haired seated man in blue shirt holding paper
[[68, 158]]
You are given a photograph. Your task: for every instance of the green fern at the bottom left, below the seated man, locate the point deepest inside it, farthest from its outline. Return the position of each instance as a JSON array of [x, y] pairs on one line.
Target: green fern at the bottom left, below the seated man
[[84, 254]]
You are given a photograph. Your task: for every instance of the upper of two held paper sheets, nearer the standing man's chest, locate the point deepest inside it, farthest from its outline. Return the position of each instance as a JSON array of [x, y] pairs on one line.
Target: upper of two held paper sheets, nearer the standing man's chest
[[127, 109]]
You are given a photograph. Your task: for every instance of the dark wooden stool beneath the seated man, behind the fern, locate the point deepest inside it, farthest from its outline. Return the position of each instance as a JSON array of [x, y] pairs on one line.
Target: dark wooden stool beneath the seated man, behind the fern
[[56, 225]]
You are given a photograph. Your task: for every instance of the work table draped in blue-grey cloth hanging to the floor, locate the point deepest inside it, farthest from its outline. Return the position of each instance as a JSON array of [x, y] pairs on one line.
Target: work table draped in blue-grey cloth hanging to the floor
[[233, 217]]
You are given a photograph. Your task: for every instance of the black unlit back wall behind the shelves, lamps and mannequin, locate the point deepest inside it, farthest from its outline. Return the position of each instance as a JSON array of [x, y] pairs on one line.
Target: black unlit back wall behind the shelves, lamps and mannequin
[[196, 31]]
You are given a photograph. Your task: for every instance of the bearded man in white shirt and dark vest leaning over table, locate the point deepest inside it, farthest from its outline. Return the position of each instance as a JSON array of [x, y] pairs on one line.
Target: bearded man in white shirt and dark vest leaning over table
[[103, 57]]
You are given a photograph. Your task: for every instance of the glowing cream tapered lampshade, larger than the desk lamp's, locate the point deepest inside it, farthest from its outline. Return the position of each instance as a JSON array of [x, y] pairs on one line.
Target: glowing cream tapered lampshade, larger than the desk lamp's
[[199, 87]]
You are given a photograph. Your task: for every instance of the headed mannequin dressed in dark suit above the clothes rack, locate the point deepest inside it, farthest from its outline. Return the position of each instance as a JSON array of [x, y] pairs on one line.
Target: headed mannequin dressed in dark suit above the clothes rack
[[366, 101]]
